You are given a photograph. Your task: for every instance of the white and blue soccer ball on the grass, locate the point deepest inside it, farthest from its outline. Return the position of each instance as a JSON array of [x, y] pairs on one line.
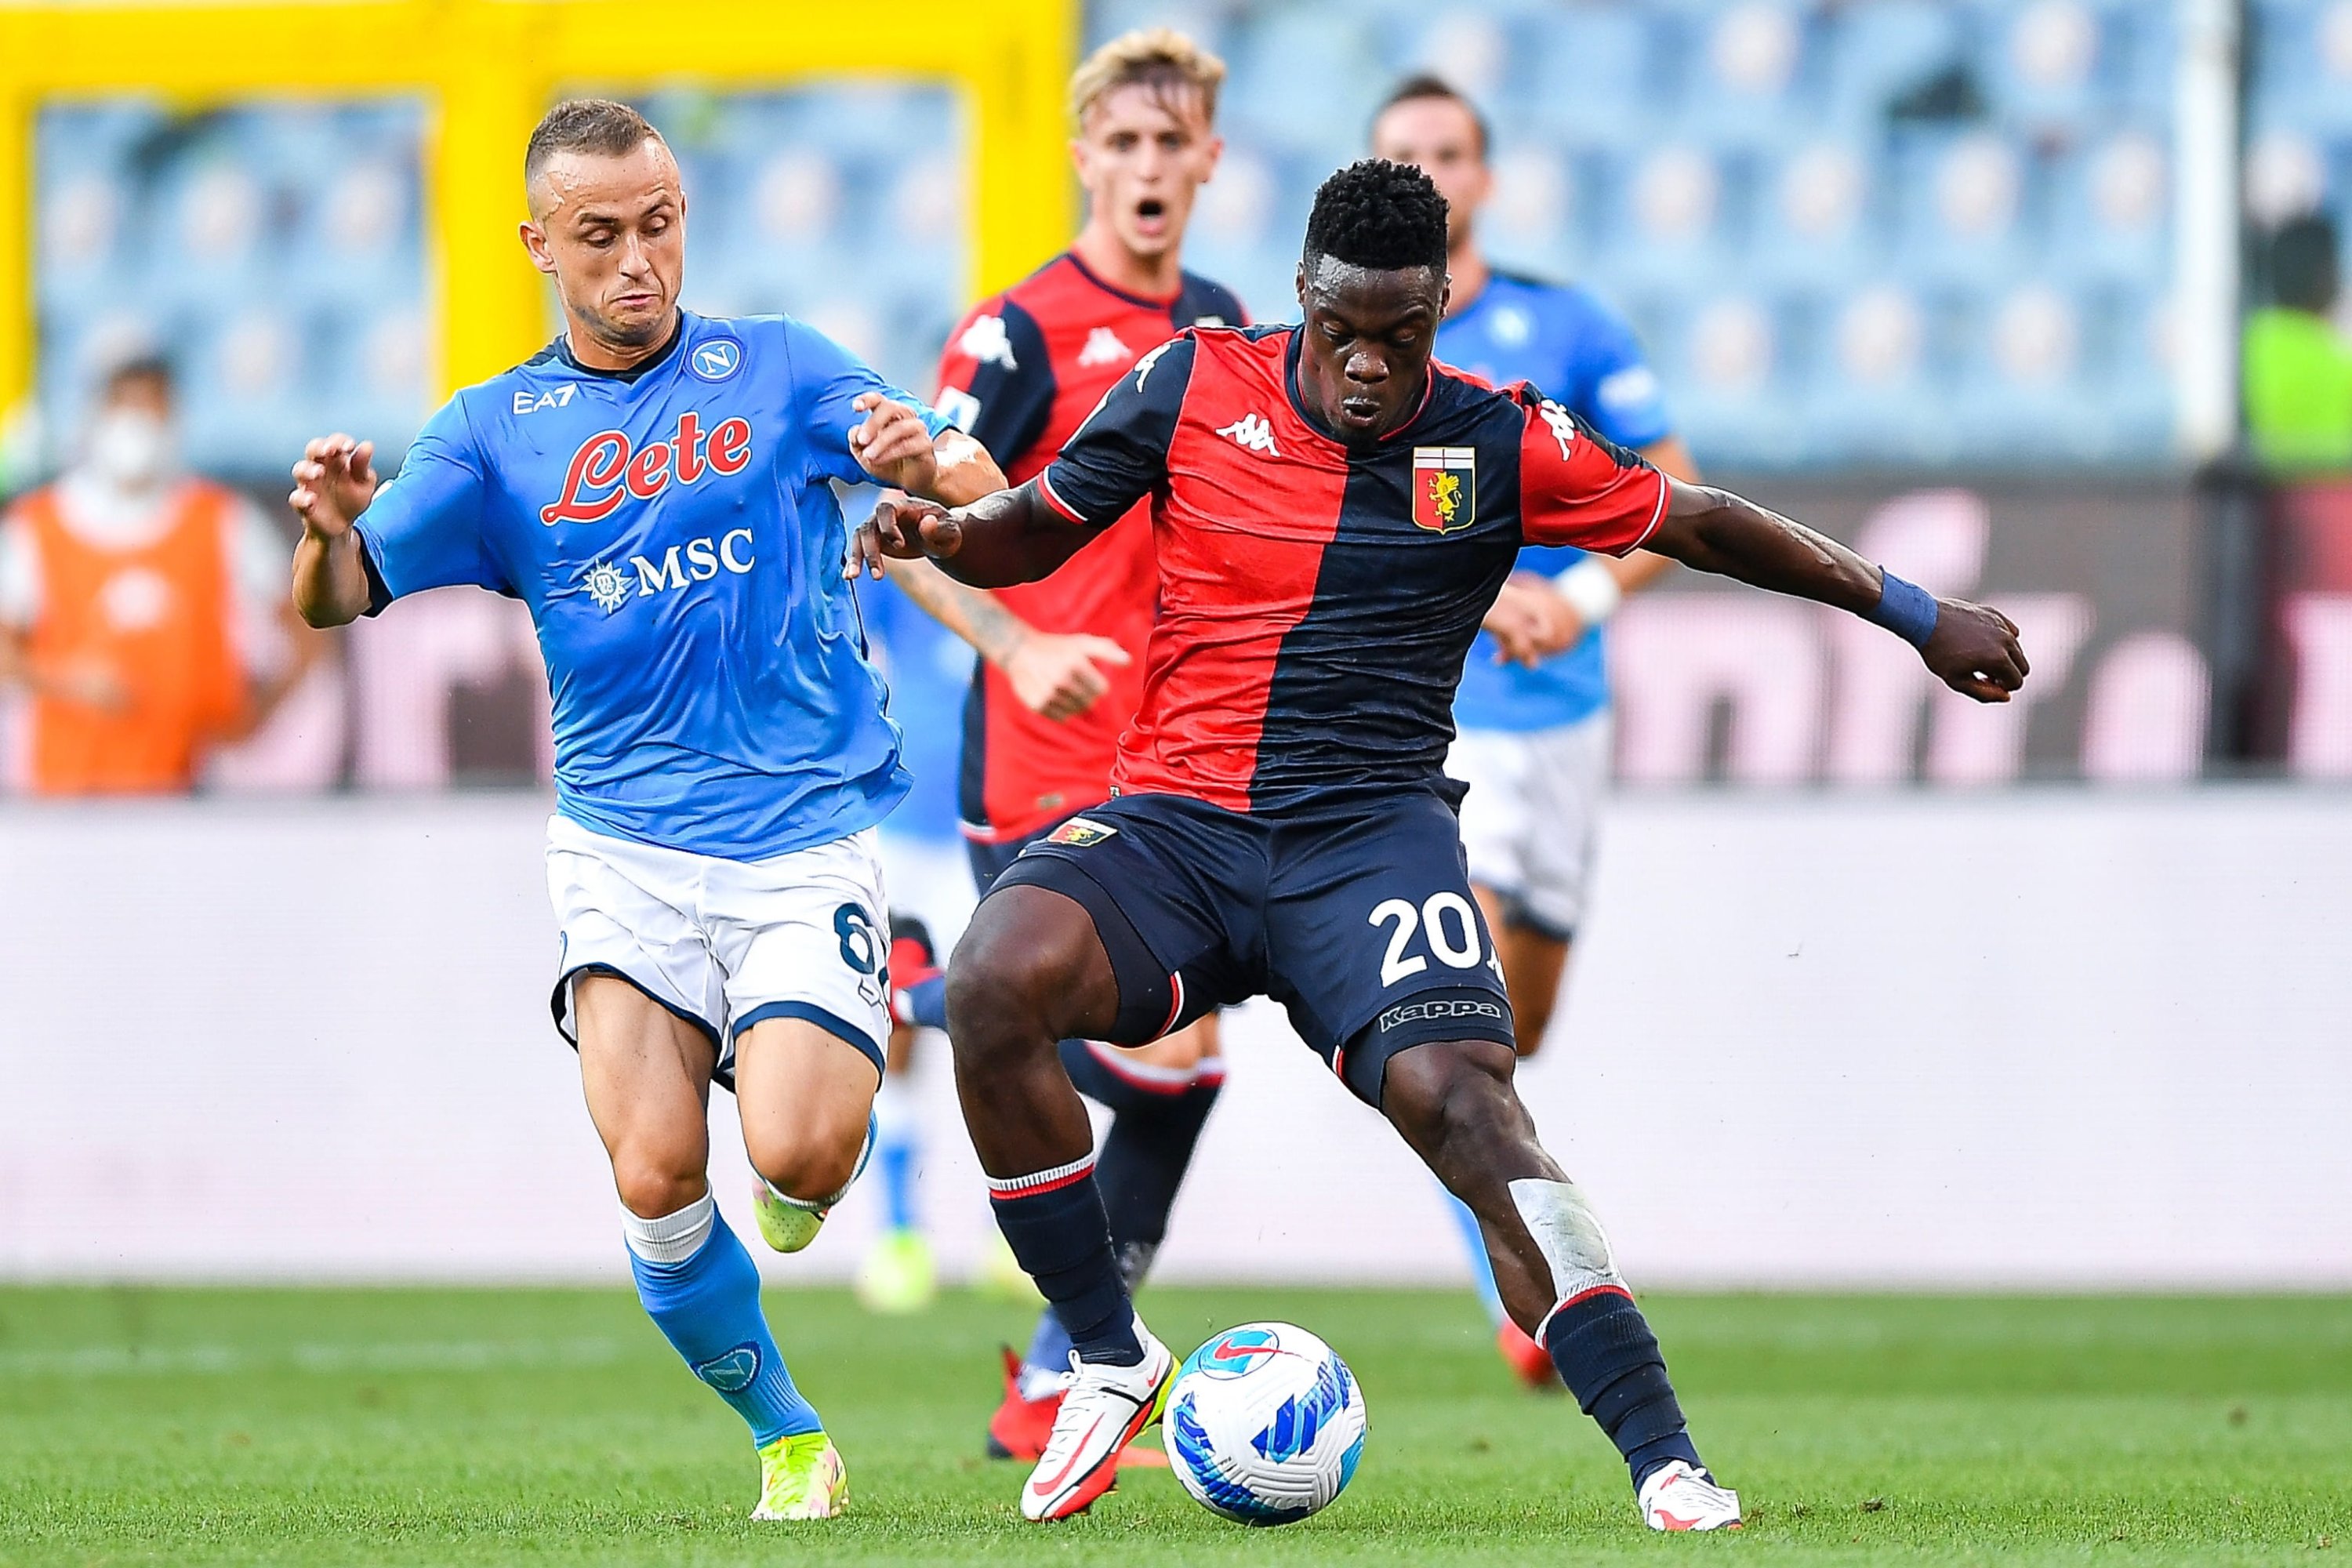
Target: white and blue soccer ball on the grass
[[1264, 1423]]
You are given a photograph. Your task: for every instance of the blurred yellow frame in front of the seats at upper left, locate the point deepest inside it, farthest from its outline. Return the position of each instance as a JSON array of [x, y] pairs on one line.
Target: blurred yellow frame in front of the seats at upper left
[[490, 67]]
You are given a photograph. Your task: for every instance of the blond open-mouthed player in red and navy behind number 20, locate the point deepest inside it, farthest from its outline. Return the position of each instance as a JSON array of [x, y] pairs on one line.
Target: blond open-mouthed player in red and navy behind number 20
[[1062, 662]]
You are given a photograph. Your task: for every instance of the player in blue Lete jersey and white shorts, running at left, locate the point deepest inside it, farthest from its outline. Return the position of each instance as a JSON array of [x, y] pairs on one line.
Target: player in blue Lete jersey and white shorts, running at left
[[657, 488]]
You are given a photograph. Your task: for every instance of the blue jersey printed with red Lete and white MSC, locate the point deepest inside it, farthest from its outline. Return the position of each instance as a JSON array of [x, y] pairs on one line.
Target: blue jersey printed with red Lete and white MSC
[[679, 542]]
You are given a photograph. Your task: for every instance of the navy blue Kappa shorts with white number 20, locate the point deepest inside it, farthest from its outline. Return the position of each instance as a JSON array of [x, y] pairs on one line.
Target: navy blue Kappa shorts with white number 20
[[1358, 920]]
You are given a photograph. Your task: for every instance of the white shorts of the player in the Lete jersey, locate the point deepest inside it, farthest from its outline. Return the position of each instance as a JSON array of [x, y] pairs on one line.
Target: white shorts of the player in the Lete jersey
[[728, 944]]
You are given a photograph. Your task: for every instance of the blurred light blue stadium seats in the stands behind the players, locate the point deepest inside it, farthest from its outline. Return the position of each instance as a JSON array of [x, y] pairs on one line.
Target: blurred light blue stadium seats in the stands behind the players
[[1819, 215]]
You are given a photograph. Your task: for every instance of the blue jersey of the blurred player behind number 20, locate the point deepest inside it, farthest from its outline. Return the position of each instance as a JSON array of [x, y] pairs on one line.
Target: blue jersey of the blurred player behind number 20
[[1572, 347]]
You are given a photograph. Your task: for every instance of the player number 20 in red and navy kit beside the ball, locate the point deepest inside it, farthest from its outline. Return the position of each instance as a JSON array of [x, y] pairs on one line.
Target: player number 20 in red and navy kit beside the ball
[[1335, 516]]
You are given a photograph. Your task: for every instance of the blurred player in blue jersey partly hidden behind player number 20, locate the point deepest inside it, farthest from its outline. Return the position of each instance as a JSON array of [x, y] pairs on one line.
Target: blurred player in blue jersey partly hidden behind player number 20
[[1532, 711]]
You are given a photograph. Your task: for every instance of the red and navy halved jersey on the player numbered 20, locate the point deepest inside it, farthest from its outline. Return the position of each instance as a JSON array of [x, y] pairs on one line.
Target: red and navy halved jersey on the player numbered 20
[[1316, 601]]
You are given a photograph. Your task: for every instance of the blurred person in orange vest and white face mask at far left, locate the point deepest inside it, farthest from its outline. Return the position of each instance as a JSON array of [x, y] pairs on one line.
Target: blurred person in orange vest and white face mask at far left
[[142, 608]]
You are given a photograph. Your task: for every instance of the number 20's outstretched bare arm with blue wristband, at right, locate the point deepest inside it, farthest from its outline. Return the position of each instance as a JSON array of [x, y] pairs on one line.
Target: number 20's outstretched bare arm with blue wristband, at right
[[1972, 648]]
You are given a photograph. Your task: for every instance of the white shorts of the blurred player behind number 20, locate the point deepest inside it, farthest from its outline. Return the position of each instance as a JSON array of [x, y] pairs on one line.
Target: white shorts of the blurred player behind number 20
[[1532, 815]]
